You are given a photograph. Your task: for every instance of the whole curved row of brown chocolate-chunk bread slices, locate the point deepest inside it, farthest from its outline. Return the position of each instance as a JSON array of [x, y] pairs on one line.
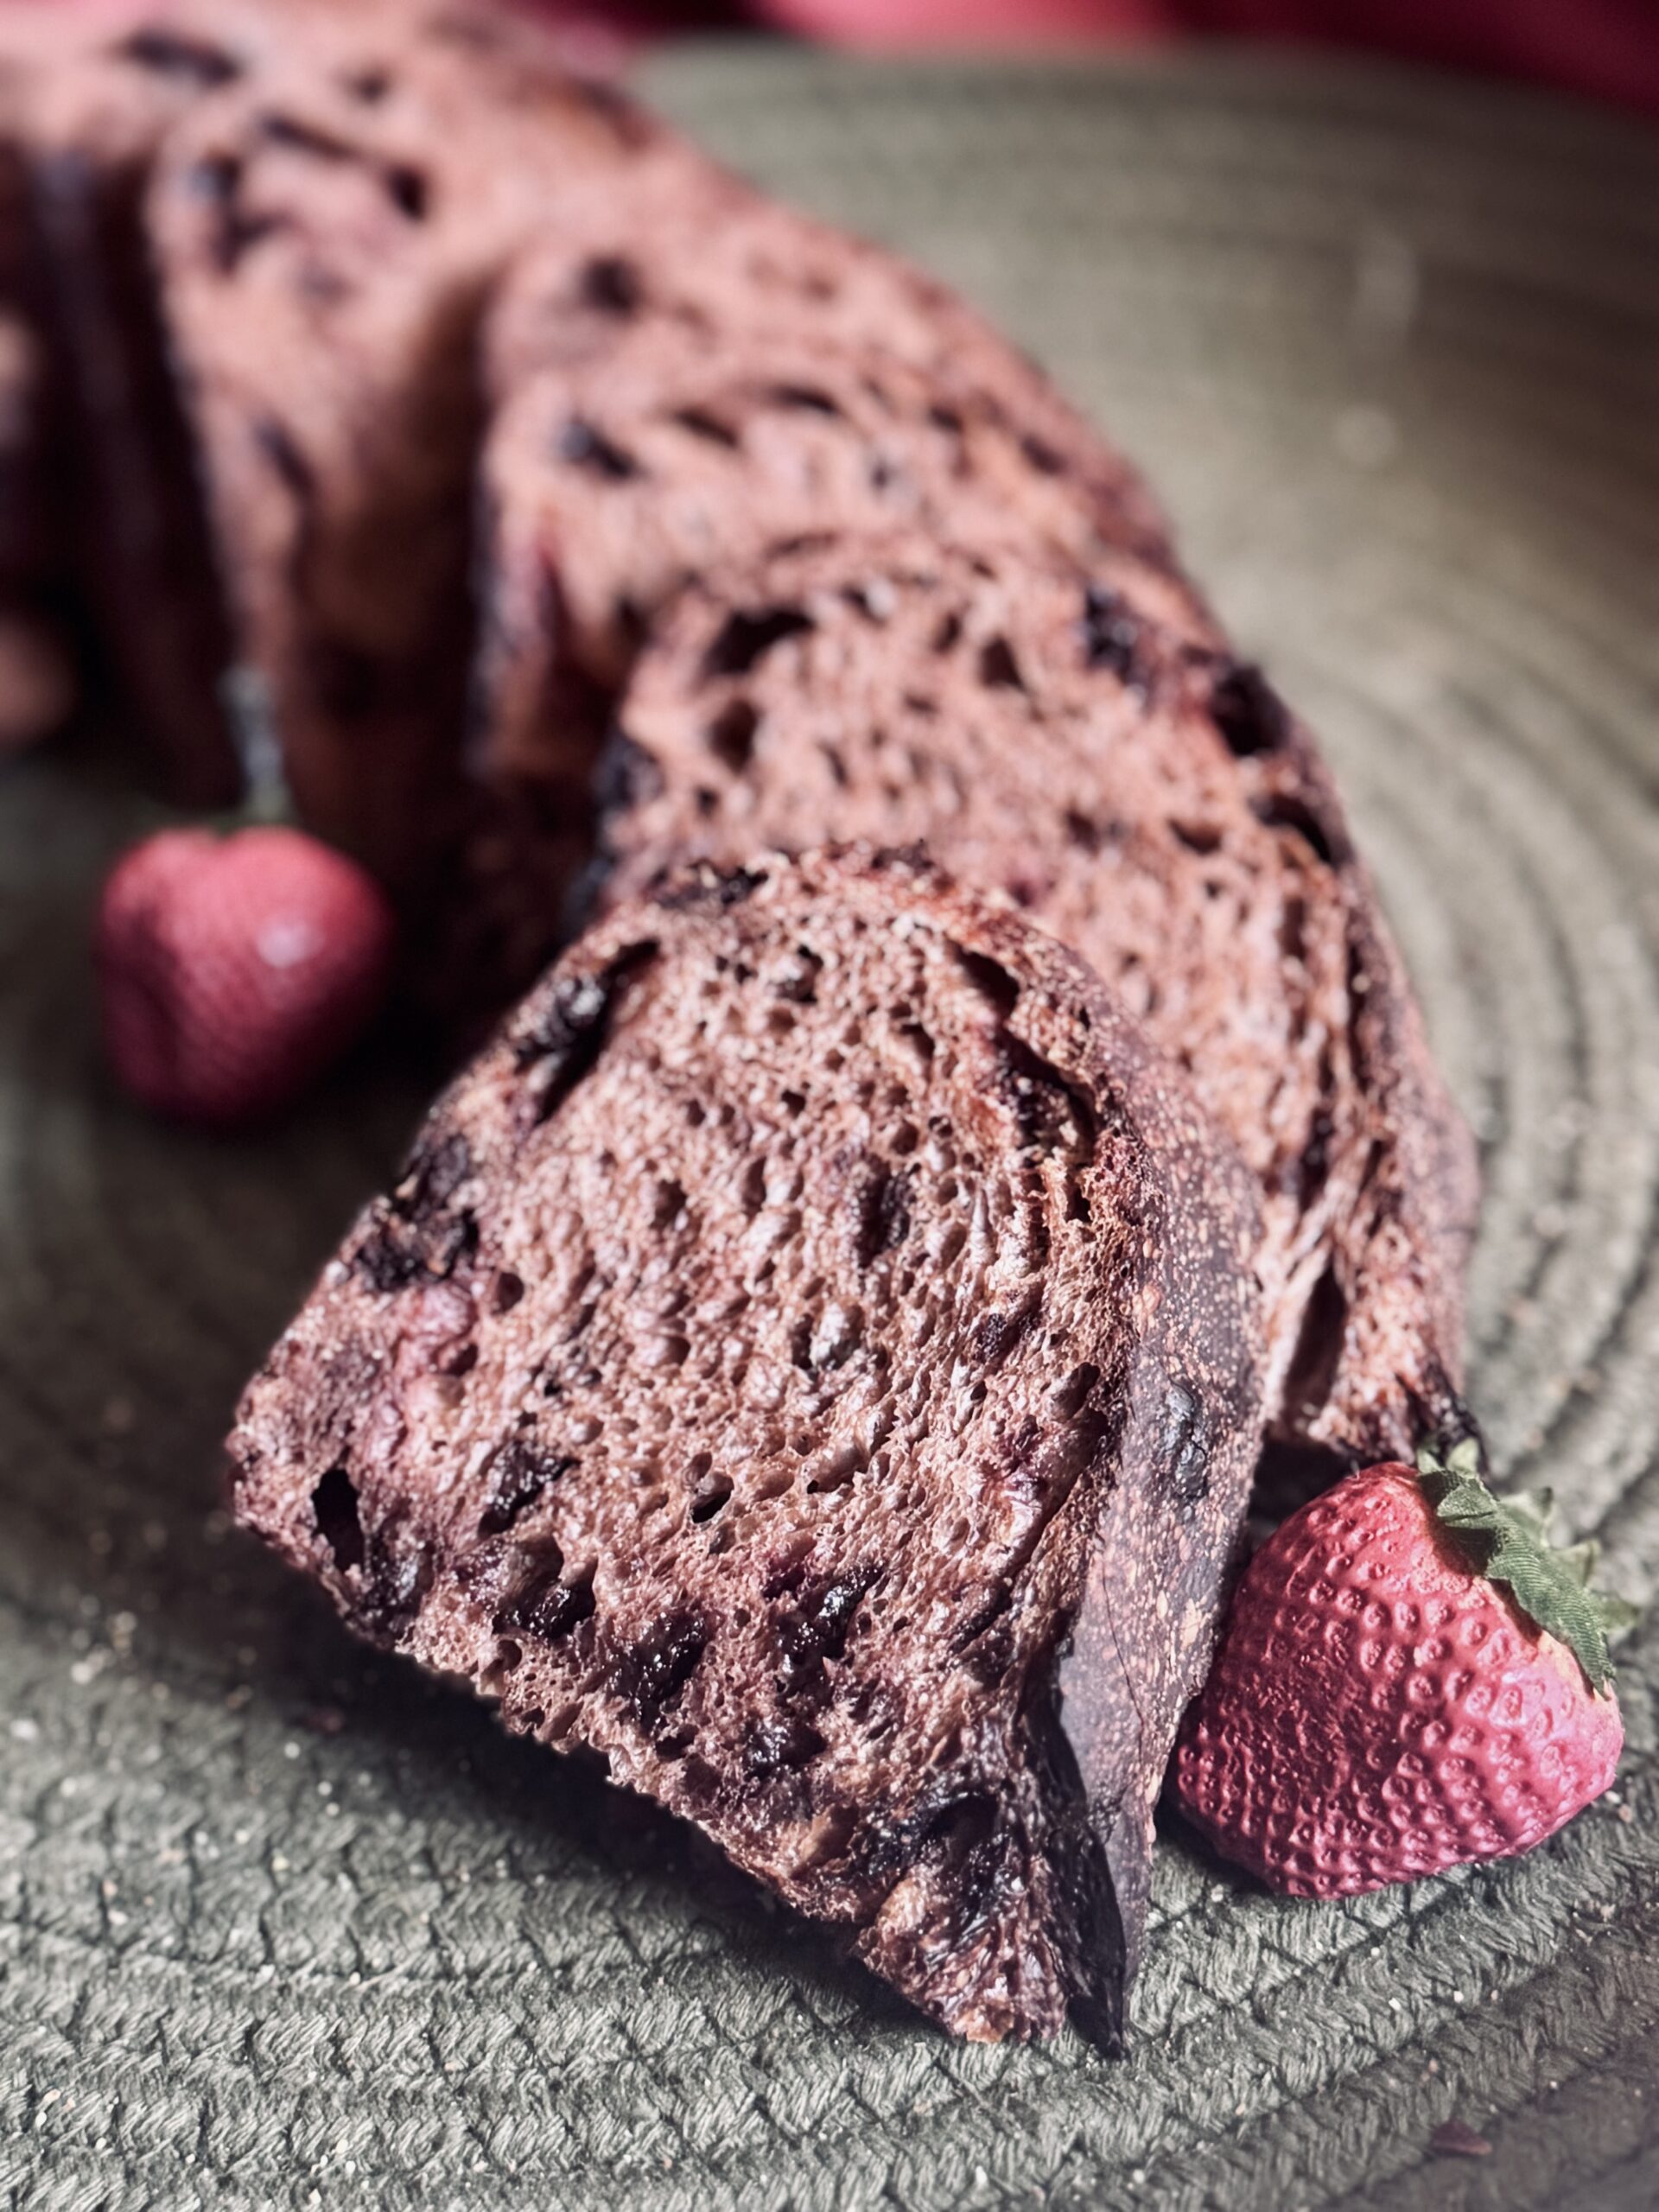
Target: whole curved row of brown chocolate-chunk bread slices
[[817, 1357]]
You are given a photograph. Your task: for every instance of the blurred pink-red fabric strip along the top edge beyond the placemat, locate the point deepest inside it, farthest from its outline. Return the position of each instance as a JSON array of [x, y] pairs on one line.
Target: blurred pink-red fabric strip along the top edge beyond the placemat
[[1600, 48]]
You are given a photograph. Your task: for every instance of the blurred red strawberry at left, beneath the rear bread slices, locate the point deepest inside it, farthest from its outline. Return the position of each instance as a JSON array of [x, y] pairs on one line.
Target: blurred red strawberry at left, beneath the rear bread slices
[[236, 970]]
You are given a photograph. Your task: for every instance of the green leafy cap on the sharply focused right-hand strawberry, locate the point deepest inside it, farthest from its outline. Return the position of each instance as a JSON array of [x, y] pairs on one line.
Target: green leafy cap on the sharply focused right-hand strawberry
[[1507, 1541]]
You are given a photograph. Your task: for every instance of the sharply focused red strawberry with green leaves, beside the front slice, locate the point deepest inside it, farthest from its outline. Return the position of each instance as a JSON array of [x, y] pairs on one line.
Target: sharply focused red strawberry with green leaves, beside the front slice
[[1410, 1678]]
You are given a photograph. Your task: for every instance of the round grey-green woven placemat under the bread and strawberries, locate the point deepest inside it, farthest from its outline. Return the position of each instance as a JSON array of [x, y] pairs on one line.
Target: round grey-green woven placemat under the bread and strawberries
[[284, 1926]]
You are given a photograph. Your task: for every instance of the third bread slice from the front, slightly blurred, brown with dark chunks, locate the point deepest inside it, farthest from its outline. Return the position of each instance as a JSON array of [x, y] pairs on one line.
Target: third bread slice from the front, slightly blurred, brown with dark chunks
[[687, 373]]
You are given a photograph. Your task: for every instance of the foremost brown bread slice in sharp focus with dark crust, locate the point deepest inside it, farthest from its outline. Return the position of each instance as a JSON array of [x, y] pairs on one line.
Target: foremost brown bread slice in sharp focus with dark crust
[[808, 1361]]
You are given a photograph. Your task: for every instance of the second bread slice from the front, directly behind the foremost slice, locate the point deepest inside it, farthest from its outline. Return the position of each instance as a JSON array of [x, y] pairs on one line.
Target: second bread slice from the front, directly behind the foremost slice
[[1092, 751]]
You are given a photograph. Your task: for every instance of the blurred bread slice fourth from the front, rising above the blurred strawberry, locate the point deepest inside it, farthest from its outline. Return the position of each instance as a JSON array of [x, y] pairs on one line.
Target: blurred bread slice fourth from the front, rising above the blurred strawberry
[[326, 240]]
